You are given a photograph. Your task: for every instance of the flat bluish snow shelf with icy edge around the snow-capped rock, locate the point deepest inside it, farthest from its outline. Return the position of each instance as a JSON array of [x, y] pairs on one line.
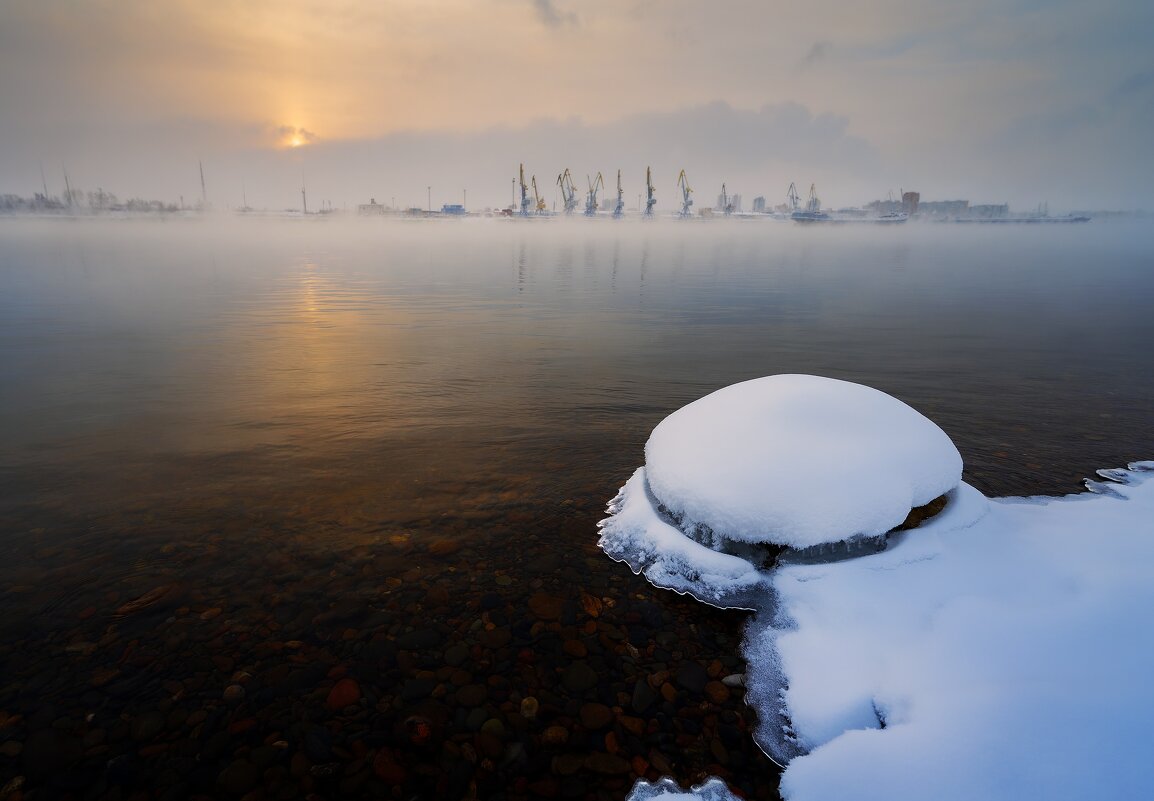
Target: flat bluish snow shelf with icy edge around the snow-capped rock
[[1003, 650]]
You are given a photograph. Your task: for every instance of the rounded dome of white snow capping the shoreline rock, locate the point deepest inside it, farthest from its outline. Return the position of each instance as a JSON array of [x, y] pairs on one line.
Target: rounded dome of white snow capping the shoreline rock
[[798, 461]]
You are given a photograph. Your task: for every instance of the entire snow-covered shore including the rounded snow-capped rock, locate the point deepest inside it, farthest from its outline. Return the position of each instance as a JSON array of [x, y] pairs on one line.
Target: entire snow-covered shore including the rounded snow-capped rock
[[1003, 650]]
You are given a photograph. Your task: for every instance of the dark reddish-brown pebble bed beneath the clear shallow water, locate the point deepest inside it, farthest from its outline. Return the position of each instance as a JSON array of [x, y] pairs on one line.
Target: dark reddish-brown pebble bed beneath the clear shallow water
[[242, 656]]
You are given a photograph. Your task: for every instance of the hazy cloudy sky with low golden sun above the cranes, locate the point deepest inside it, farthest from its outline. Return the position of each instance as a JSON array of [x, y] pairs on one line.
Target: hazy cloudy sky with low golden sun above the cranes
[[417, 102]]
